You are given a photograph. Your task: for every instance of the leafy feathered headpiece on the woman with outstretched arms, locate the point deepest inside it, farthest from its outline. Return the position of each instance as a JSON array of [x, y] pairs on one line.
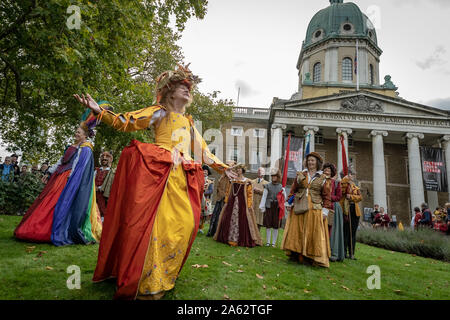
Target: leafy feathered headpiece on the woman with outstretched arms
[[168, 78]]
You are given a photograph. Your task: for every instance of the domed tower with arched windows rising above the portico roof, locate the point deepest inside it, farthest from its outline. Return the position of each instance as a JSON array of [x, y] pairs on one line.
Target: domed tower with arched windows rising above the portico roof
[[340, 39]]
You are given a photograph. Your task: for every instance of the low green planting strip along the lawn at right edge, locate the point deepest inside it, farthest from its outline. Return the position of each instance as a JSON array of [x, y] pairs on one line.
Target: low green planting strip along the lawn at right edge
[[423, 242]]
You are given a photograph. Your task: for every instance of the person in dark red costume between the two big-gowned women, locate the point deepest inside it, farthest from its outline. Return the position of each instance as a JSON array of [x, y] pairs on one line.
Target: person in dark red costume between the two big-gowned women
[[104, 177]]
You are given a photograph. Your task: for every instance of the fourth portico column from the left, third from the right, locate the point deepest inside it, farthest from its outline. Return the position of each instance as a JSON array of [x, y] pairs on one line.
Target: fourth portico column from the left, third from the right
[[379, 170]]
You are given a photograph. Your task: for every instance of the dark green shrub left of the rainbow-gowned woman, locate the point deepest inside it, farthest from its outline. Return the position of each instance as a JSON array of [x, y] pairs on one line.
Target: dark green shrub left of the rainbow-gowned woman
[[17, 197]]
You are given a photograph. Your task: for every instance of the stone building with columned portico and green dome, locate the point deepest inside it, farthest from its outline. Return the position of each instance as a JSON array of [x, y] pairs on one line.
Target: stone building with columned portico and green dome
[[341, 103]]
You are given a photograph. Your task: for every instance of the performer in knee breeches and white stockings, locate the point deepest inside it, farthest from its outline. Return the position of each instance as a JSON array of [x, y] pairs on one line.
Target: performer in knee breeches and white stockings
[[270, 208]]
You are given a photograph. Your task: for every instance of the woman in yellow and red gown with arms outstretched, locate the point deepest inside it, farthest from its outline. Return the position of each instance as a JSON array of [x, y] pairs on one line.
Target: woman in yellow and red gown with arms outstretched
[[154, 210]]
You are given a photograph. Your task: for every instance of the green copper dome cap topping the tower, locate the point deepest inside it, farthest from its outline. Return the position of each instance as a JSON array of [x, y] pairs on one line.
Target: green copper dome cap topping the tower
[[340, 20]]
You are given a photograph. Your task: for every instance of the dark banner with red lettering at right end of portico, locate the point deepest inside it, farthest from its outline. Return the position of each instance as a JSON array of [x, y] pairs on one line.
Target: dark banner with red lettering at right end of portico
[[433, 169]]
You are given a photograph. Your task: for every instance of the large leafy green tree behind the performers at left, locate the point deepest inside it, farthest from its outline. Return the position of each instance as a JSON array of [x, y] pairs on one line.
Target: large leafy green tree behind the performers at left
[[114, 50]]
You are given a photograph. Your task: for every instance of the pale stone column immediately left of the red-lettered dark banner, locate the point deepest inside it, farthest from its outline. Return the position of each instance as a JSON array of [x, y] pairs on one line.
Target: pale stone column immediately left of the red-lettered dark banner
[[415, 170]]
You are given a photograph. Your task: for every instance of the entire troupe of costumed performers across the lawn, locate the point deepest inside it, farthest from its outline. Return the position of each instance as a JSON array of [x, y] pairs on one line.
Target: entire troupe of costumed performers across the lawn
[[149, 210]]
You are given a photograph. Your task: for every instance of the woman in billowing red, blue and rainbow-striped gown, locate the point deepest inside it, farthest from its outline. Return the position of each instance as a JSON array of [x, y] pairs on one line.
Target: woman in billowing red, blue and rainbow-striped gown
[[66, 211]]
